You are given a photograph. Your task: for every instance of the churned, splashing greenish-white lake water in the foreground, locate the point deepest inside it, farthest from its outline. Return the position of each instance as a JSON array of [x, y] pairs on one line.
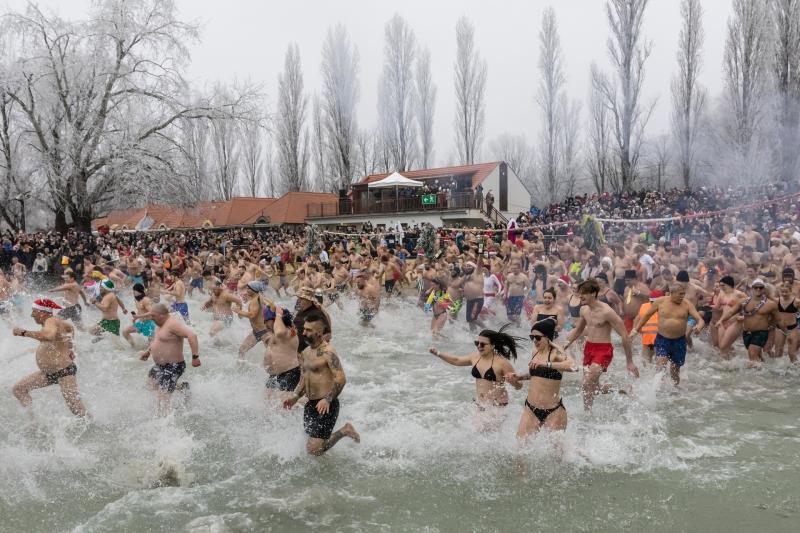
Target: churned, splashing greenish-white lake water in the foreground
[[720, 453]]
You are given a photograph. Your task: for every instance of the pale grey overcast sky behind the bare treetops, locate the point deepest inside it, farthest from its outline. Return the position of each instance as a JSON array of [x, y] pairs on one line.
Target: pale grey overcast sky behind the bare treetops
[[247, 39]]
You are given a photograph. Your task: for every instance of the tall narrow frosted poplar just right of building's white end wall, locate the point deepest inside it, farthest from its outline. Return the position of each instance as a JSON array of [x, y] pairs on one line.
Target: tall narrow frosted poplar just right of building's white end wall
[[550, 98]]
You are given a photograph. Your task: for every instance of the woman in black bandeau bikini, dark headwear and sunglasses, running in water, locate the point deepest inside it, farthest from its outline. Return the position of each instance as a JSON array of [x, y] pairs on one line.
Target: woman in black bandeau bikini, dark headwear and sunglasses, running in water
[[543, 407]]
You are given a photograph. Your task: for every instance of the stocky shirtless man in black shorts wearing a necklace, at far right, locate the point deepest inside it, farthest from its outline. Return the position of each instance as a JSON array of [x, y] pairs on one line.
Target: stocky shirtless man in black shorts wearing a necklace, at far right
[[756, 313]]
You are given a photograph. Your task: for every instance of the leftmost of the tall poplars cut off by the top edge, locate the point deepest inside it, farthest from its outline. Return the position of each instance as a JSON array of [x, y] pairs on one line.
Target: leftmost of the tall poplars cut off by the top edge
[[628, 52]]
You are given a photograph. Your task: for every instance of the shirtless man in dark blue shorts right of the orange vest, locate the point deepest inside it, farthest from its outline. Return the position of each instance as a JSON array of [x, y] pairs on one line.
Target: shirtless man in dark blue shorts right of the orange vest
[[673, 313]]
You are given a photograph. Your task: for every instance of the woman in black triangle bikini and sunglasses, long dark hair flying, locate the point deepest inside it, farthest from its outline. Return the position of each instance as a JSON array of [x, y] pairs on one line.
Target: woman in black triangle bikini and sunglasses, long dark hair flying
[[491, 364]]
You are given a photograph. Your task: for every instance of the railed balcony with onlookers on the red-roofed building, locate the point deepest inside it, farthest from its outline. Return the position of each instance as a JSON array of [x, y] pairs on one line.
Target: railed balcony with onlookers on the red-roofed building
[[385, 202]]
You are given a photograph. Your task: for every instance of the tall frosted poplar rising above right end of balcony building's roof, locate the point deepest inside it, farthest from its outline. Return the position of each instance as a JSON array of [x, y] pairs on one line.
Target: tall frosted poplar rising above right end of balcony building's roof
[[470, 86]]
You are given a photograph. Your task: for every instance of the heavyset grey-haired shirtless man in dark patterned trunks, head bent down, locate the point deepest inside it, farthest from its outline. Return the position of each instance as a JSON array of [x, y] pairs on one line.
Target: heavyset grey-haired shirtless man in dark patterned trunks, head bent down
[[167, 351]]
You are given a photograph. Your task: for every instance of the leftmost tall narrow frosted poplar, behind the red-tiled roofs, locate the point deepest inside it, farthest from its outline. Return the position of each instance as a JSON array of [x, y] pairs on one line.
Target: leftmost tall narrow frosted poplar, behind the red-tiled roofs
[[291, 135]]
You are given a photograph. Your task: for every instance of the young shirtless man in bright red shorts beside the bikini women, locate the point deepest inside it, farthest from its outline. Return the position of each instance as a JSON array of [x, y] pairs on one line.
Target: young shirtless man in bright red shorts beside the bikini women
[[598, 319]]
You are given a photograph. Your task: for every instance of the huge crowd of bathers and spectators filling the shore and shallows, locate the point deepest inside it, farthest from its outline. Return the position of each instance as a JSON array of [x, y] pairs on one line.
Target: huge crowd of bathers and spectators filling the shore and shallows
[[722, 275]]
